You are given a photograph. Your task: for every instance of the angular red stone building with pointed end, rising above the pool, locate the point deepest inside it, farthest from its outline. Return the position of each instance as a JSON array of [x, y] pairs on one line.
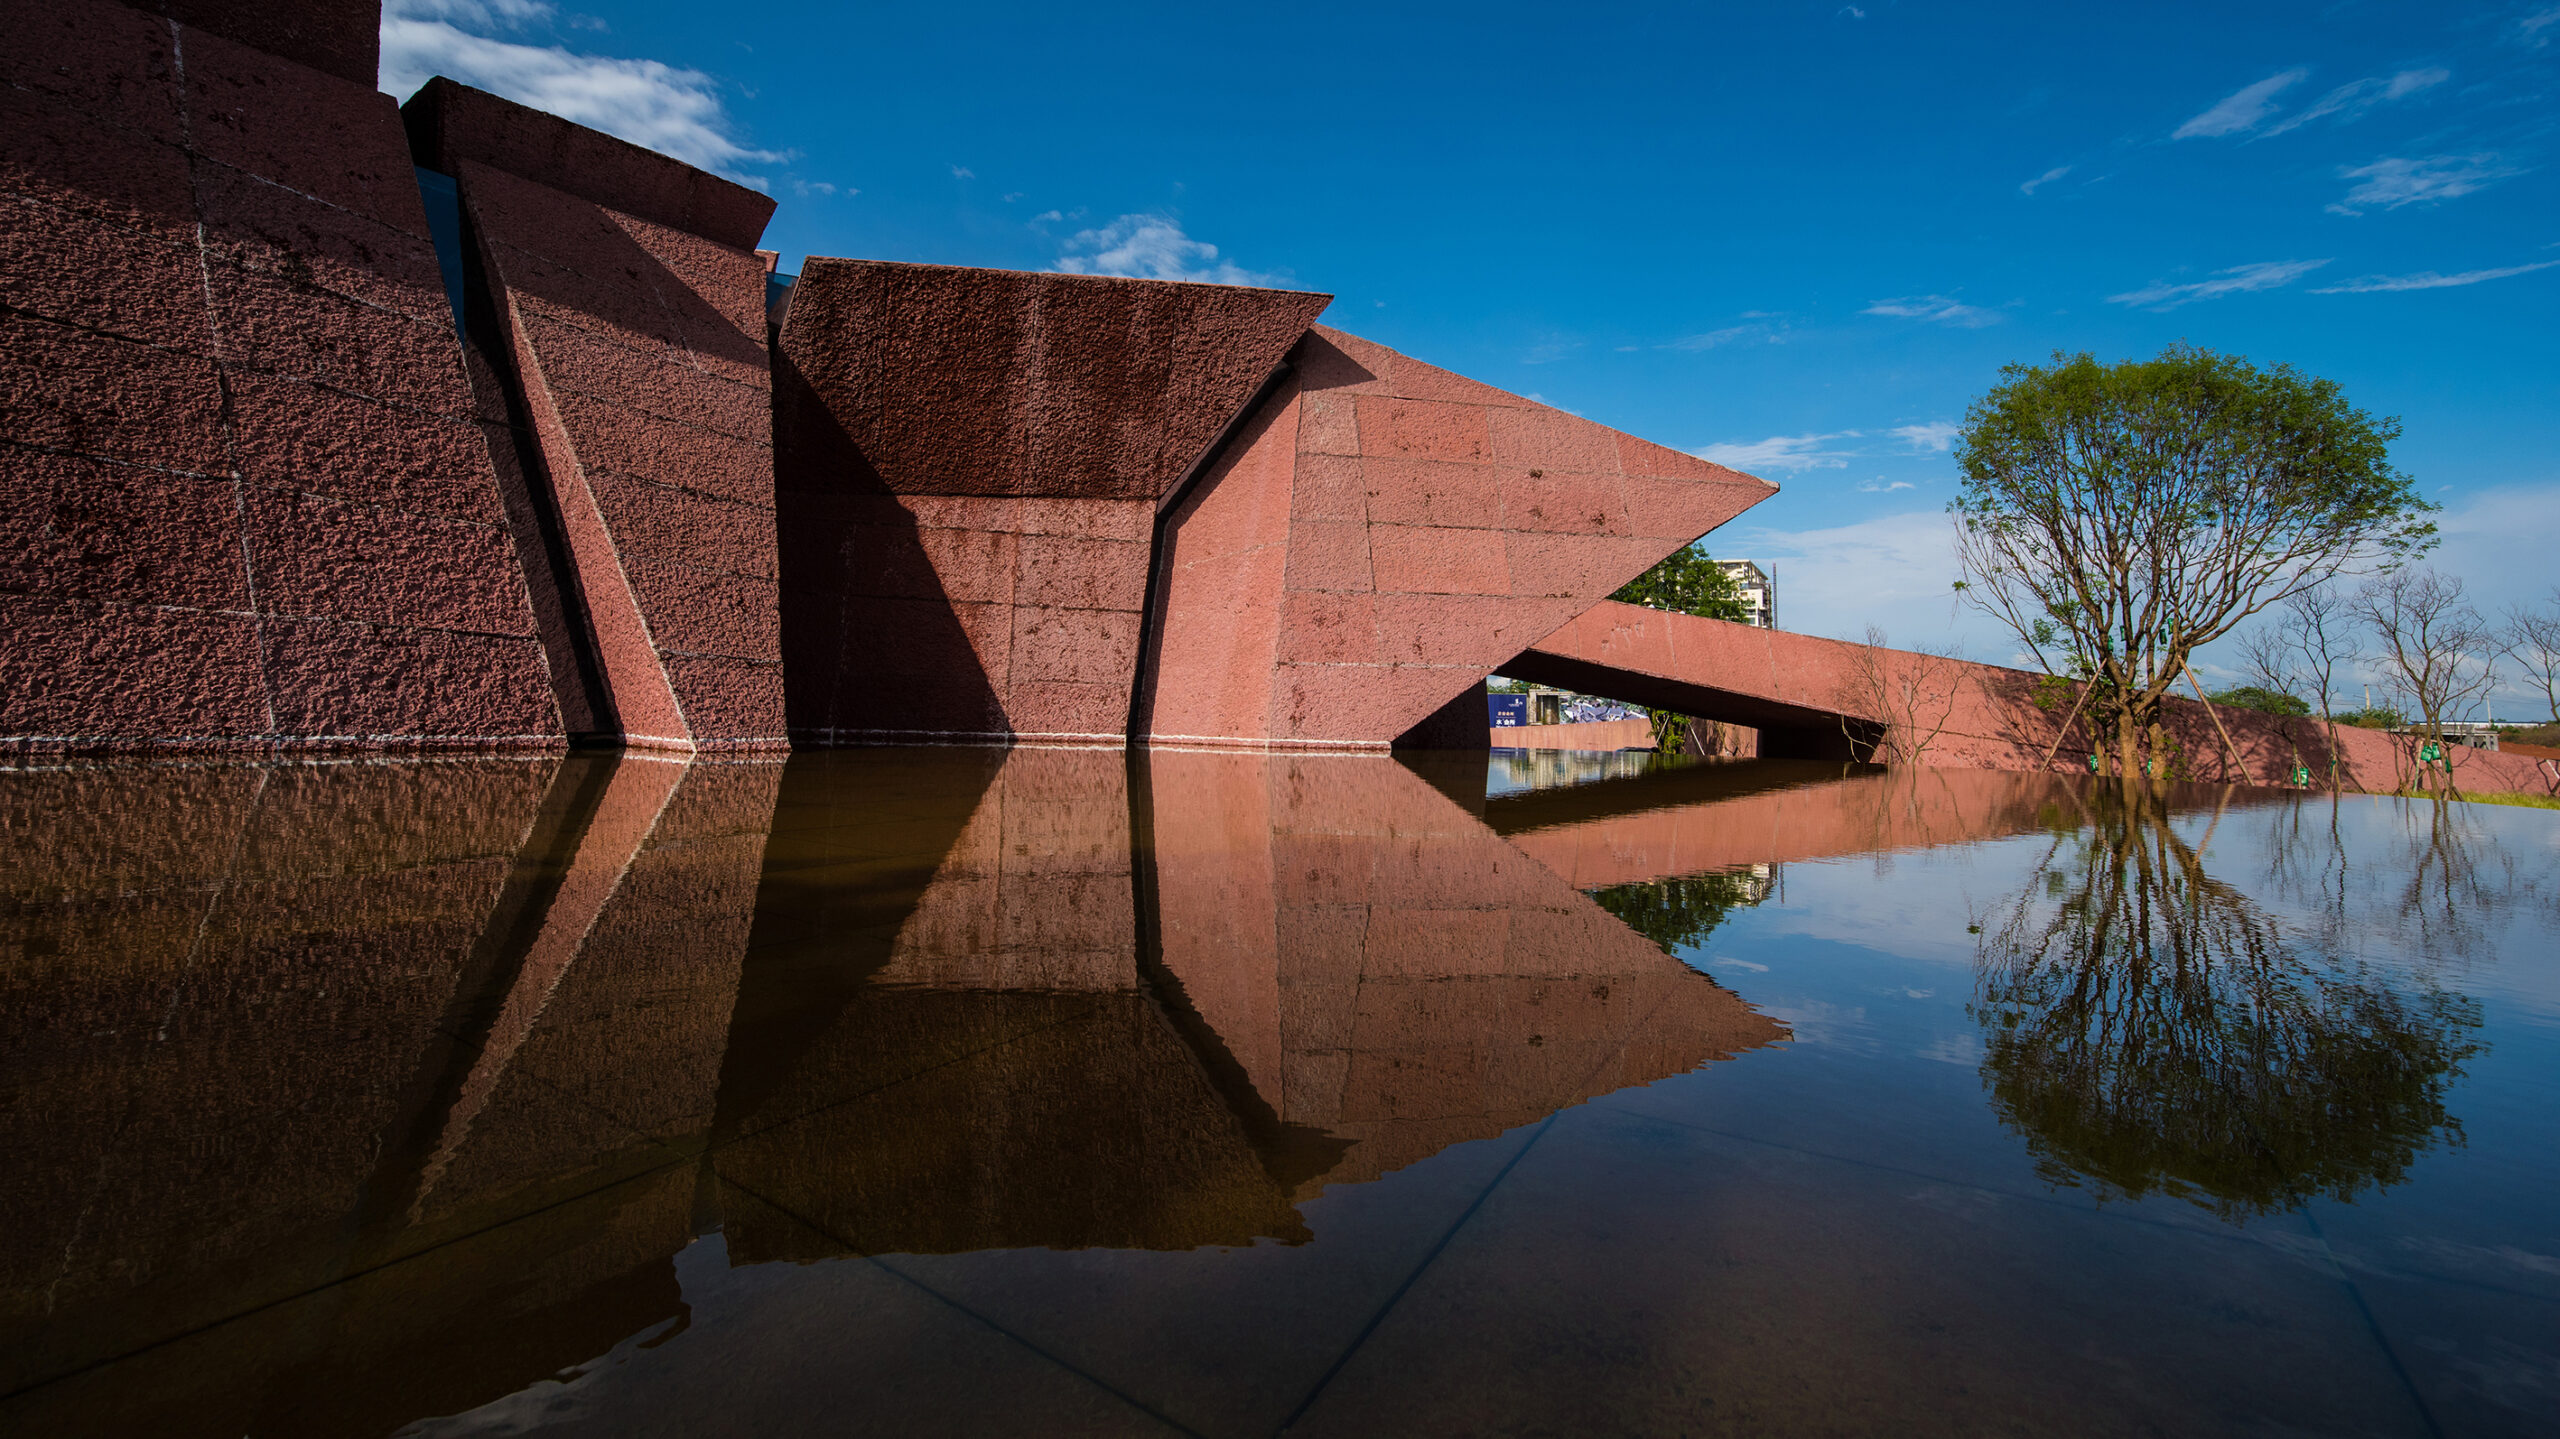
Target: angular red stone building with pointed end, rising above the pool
[[460, 426]]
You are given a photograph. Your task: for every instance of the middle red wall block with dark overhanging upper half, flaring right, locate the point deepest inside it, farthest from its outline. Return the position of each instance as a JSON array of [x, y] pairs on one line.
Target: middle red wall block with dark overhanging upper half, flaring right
[[972, 467]]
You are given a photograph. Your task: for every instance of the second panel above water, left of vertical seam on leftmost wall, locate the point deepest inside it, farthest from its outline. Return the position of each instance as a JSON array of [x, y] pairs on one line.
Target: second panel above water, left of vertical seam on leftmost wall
[[91, 531]]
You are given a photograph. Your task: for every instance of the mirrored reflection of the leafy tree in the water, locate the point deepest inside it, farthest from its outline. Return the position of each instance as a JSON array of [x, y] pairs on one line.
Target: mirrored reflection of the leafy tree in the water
[[2149, 1028]]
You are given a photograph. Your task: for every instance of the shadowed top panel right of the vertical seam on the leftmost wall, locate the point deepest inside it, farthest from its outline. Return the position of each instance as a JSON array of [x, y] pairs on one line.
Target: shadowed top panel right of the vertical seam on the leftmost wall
[[326, 137]]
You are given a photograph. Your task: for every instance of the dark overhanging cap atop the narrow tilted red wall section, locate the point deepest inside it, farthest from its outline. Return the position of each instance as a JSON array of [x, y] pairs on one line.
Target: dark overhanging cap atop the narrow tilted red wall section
[[452, 124]]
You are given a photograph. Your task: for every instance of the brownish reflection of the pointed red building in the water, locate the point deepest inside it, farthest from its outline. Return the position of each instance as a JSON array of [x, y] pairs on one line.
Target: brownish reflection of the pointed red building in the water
[[367, 1092]]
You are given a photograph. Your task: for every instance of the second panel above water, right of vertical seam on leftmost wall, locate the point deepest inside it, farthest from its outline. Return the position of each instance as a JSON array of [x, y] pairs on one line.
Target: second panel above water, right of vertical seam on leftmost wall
[[362, 562]]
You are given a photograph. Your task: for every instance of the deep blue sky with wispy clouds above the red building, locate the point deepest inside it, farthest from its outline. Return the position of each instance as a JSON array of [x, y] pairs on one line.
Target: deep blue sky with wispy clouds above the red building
[[1791, 237]]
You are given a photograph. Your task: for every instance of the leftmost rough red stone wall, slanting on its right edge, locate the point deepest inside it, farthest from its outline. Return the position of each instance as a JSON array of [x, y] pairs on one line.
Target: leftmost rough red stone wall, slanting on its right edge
[[250, 508]]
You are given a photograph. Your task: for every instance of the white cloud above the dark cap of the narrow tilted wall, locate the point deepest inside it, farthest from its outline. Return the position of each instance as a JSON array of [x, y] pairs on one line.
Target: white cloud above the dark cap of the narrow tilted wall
[[649, 104]]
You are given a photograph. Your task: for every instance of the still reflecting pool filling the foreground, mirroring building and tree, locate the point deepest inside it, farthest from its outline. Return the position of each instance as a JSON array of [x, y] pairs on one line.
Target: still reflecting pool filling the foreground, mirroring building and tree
[[1074, 1092]]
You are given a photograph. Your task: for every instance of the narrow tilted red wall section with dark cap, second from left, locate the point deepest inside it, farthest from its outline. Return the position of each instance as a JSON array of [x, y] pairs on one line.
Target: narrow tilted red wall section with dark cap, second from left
[[641, 362]]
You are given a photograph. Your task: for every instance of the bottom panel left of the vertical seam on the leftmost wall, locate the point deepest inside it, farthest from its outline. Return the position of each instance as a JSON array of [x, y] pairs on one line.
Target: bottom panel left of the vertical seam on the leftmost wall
[[78, 670]]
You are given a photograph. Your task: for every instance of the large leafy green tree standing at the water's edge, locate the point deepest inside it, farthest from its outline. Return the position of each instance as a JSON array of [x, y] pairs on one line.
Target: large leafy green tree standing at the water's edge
[[2116, 519]]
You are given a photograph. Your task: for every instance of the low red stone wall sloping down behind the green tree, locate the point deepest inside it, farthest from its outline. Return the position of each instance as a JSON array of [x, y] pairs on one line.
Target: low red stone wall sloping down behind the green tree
[[1798, 690]]
